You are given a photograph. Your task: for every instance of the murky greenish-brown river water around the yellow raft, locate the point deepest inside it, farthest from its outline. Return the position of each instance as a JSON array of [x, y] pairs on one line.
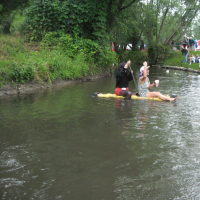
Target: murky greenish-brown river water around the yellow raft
[[67, 144]]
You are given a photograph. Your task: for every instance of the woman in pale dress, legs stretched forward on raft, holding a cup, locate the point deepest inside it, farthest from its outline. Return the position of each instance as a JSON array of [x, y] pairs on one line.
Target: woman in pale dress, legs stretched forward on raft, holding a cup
[[144, 85]]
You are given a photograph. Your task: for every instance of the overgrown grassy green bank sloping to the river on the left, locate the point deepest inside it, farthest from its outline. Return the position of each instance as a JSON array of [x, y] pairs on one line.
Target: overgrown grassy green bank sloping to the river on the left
[[22, 62]]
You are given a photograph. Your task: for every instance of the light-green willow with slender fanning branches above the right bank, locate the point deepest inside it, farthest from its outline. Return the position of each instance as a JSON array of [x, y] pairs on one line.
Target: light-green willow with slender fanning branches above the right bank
[[166, 20]]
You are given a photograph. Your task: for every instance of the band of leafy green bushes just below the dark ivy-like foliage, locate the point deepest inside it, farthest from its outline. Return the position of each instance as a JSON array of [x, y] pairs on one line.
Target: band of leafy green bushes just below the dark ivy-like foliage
[[101, 55]]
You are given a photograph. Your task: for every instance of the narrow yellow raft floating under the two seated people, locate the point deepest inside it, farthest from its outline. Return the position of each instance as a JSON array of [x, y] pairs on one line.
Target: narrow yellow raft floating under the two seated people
[[108, 95]]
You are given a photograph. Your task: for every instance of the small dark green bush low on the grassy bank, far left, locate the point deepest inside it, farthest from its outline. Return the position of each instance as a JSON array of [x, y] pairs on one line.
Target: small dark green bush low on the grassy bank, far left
[[21, 74]]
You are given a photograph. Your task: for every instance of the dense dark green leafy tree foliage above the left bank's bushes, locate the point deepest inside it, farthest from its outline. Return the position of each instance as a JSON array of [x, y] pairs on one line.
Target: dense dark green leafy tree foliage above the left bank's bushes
[[86, 18]]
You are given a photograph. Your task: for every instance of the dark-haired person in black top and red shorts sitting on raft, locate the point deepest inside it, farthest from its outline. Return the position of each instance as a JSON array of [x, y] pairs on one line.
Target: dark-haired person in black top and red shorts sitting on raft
[[123, 77]]
